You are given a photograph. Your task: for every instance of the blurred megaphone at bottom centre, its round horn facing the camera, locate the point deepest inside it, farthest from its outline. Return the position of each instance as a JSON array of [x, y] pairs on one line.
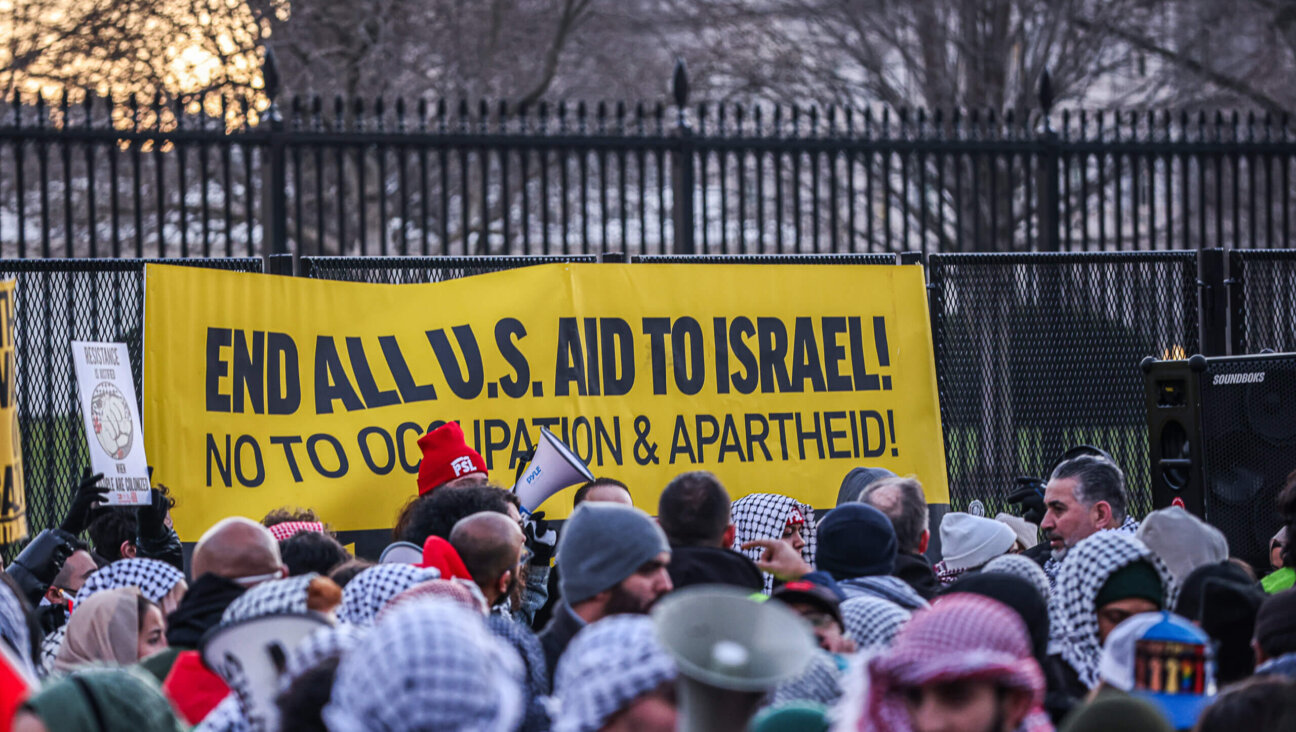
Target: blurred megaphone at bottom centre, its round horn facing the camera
[[730, 651]]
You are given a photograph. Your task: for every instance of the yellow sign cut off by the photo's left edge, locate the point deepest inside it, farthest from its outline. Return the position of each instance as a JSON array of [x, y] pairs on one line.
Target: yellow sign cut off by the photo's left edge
[[14, 502]]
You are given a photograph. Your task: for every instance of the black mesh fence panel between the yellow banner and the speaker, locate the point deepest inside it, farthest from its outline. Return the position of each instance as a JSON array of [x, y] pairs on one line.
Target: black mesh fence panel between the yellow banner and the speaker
[[1040, 353]]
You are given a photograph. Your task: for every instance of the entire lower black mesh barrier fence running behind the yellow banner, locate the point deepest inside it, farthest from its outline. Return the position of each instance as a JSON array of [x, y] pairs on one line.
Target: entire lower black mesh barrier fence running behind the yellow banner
[[1035, 353]]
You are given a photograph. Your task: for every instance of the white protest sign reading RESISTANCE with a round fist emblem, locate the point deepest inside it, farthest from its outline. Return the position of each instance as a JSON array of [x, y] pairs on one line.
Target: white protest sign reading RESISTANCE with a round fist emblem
[[113, 432]]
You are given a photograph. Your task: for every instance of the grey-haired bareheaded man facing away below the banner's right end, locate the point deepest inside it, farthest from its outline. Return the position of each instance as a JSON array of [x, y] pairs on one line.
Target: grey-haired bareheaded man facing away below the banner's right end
[[905, 505]]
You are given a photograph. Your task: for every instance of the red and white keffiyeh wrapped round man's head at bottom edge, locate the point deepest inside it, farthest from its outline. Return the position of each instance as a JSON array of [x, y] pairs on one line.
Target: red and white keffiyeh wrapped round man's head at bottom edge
[[961, 637]]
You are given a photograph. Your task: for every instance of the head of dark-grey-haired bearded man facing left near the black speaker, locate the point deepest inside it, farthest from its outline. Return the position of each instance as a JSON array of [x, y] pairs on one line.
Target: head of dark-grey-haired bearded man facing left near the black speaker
[[1085, 496]]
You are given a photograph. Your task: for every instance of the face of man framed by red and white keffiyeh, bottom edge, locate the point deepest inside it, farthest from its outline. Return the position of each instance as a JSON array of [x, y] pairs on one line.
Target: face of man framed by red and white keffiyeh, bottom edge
[[964, 707]]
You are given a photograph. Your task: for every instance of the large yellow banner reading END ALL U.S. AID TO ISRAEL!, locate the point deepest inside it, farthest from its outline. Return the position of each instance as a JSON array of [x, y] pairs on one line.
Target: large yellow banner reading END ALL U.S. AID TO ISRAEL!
[[265, 392]]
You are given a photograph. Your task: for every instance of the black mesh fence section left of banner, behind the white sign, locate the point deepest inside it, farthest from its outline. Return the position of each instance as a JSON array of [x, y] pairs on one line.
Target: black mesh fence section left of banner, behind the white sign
[[60, 301]]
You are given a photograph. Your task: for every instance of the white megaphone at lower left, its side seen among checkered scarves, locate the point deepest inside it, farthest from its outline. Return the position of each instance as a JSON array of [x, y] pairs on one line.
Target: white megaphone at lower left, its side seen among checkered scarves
[[249, 656]]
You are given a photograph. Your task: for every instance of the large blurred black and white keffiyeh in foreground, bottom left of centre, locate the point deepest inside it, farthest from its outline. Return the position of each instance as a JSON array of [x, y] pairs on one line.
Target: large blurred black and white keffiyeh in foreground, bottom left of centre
[[428, 665]]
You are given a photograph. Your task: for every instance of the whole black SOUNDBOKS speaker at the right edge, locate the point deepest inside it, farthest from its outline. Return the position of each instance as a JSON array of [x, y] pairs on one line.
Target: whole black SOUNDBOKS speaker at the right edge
[[1221, 433]]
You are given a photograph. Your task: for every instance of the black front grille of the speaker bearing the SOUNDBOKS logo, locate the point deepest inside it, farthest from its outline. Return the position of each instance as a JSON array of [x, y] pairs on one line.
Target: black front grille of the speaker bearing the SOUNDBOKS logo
[[1249, 432]]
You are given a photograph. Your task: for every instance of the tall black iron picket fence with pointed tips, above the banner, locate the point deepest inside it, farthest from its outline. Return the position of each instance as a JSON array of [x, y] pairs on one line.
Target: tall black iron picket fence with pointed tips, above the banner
[[90, 177]]
